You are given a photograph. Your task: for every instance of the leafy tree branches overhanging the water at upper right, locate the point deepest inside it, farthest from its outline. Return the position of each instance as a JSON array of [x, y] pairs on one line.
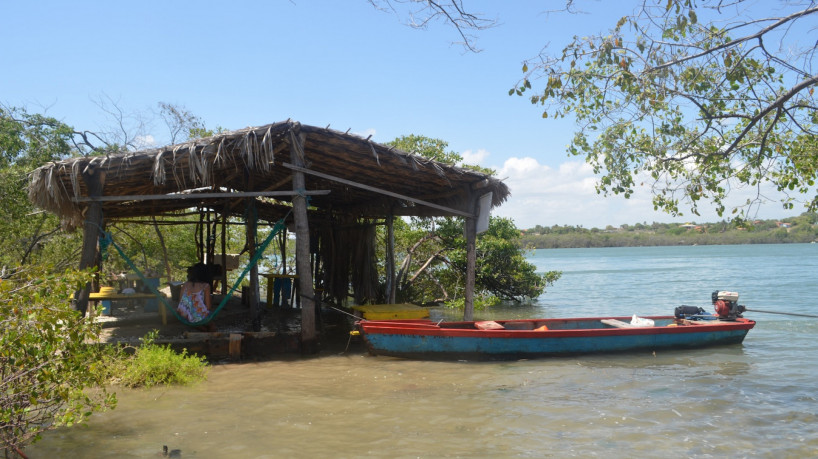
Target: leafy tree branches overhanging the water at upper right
[[694, 98]]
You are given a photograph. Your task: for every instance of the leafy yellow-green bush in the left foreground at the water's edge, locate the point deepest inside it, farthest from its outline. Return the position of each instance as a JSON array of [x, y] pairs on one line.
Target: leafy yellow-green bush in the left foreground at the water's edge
[[50, 374]]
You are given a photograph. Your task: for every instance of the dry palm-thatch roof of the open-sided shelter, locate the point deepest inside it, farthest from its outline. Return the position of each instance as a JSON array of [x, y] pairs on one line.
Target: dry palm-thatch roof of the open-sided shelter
[[344, 173]]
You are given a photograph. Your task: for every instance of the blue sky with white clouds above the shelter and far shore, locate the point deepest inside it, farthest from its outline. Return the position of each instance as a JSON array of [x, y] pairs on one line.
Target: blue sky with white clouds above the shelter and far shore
[[338, 63]]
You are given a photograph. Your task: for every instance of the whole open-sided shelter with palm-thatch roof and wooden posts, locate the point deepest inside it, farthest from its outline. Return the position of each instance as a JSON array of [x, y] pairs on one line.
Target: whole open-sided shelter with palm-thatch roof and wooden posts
[[328, 187]]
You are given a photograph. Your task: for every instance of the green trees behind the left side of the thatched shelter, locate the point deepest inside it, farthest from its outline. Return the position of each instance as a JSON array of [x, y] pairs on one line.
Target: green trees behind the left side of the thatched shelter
[[33, 237]]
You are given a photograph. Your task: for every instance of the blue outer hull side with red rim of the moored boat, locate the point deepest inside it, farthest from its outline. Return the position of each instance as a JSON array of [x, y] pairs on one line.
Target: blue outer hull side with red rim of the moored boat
[[428, 342]]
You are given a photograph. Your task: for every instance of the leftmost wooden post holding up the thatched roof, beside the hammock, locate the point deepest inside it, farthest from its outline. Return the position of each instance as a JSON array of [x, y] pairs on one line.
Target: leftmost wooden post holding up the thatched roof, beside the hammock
[[94, 181]]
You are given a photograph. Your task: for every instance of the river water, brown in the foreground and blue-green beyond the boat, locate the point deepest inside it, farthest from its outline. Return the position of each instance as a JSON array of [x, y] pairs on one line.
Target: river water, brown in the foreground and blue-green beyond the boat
[[757, 399]]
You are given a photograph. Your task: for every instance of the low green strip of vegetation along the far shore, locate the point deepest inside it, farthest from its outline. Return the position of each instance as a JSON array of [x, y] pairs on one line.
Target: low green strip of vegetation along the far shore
[[801, 229]]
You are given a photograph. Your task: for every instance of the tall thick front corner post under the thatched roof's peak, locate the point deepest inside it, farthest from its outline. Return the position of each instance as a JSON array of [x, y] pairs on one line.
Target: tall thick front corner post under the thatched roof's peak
[[309, 340]]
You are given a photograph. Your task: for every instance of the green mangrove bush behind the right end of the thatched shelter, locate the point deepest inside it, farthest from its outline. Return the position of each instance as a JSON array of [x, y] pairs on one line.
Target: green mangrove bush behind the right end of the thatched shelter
[[434, 250]]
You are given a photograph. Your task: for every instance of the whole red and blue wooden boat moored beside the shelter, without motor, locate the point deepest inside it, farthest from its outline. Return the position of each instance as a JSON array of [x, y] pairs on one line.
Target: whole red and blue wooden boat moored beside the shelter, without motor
[[534, 338]]
